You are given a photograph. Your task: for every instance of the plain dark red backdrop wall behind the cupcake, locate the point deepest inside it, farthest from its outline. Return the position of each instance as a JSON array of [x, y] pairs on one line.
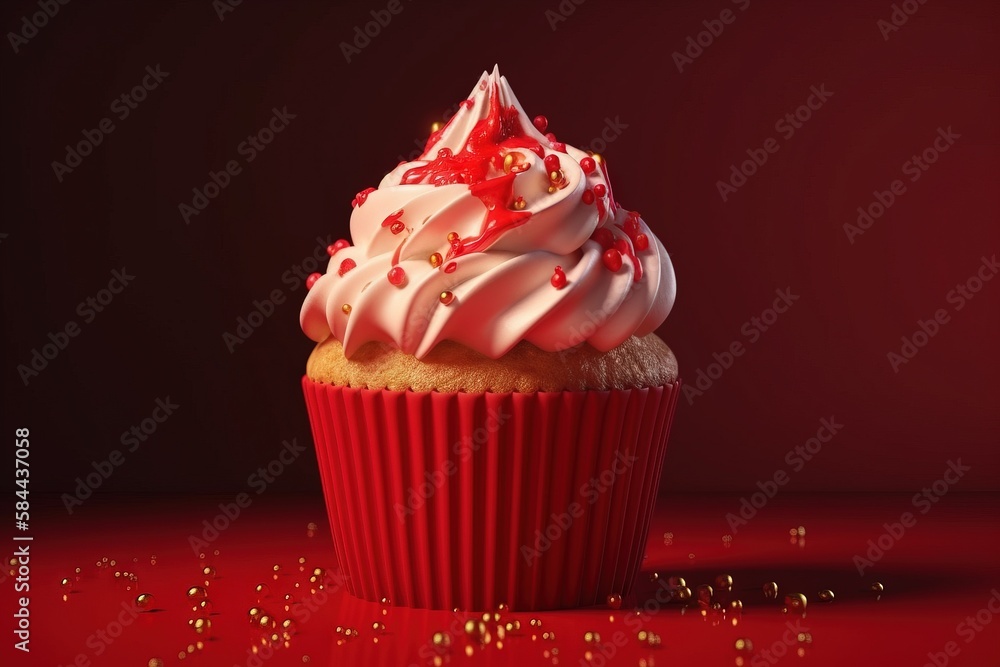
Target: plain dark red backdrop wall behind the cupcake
[[680, 132]]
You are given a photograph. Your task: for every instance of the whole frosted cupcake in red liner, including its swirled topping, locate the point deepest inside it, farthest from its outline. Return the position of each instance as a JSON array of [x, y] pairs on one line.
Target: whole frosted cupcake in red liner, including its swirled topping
[[489, 403]]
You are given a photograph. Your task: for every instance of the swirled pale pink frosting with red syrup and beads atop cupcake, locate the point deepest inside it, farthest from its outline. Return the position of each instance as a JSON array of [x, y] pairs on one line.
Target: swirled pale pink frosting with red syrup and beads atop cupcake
[[496, 234]]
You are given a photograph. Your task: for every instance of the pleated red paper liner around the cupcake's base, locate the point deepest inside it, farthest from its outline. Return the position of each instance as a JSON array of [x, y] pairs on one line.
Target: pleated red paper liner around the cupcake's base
[[444, 500]]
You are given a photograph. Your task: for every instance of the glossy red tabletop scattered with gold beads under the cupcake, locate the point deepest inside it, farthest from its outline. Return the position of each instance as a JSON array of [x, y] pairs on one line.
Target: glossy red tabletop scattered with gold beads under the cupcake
[[942, 570]]
